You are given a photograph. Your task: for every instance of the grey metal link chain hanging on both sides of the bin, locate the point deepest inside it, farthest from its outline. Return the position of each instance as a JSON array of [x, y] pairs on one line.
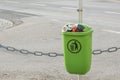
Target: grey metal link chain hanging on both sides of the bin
[[54, 54]]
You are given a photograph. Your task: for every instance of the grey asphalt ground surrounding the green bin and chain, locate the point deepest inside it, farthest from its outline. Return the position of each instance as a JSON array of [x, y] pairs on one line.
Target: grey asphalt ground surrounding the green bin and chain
[[37, 26]]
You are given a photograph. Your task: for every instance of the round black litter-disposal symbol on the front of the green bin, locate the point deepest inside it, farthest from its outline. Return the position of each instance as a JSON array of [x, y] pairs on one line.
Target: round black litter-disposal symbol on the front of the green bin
[[74, 46]]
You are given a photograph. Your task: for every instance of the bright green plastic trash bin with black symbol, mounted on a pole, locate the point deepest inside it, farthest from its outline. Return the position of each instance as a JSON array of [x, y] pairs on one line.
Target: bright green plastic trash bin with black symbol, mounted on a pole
[[77, 48]]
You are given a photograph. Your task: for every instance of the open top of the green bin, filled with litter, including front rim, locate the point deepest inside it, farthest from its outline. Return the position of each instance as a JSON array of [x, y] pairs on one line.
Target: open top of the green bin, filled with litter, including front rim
[[76, 29]]
